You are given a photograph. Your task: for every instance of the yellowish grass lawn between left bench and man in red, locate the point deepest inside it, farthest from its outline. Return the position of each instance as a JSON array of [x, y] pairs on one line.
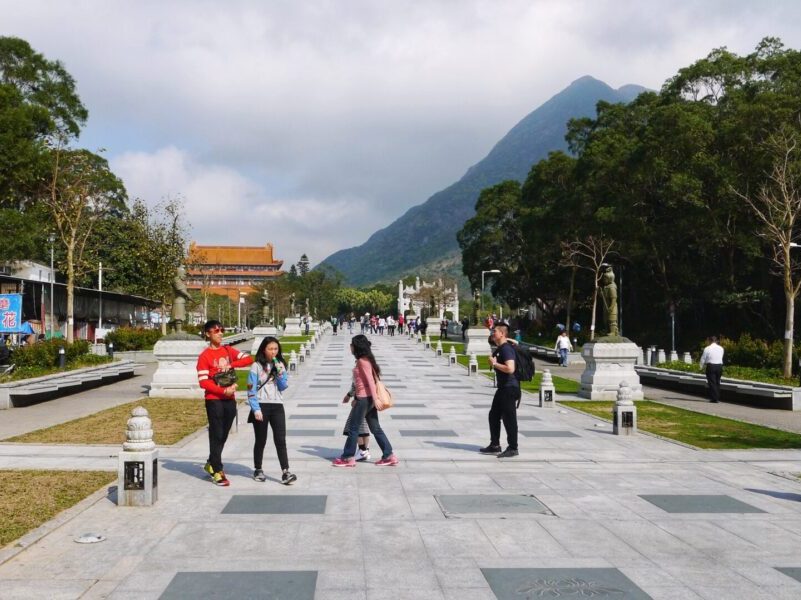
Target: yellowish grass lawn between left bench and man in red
[[173, 419]]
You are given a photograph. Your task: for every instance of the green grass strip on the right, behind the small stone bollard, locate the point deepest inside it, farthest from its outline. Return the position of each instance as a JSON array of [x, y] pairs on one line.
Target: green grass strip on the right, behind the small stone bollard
[[697, 429]]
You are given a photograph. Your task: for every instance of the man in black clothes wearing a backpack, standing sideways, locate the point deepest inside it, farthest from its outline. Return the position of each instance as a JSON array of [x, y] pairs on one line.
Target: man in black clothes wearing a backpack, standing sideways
[[504, 403]]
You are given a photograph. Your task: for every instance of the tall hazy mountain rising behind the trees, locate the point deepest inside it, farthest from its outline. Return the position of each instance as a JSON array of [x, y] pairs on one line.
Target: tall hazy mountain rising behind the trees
[[423, 241]]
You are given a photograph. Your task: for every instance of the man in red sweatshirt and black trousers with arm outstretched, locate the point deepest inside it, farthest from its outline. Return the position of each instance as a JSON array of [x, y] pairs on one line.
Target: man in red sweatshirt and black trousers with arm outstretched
[[220, 402]]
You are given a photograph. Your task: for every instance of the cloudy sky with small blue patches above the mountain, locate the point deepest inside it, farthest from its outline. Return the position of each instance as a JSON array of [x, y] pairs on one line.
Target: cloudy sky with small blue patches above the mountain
[[311, 124]]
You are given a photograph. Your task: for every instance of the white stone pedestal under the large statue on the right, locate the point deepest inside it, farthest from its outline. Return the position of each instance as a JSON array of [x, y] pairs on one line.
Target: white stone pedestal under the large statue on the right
[[608, 364]]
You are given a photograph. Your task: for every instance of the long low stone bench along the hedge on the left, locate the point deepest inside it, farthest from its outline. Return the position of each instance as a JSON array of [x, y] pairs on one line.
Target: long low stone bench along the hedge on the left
[[39, 389]]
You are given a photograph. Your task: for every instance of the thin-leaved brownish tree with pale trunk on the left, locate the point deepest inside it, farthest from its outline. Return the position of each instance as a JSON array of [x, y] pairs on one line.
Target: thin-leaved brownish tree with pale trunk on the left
[[82, 191]]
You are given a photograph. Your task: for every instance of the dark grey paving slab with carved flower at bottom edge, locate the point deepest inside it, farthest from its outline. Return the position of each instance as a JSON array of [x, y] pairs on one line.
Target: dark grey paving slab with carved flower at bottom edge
[[515, 584]]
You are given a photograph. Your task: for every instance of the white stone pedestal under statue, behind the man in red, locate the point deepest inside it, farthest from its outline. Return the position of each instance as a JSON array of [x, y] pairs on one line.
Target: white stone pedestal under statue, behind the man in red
[[176, 375]]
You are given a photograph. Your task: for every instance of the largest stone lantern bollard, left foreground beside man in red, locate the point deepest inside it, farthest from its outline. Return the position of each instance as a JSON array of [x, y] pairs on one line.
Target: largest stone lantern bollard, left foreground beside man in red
[[137, 472]]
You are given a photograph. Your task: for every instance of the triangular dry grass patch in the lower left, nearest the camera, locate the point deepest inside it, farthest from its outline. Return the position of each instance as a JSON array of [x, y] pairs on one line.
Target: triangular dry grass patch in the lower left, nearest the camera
[[30, 498]]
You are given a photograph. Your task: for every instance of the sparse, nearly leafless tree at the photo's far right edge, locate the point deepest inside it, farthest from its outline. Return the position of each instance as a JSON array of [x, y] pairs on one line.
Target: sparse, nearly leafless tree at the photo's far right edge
[[777, 206]]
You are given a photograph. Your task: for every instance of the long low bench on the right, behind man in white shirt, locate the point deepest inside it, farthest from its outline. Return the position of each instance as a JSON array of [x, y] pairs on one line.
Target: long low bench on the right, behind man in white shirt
[[735, 391]]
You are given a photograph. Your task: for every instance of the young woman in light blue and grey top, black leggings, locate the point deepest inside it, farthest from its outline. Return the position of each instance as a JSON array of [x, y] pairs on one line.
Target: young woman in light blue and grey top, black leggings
[[266, 380]]
